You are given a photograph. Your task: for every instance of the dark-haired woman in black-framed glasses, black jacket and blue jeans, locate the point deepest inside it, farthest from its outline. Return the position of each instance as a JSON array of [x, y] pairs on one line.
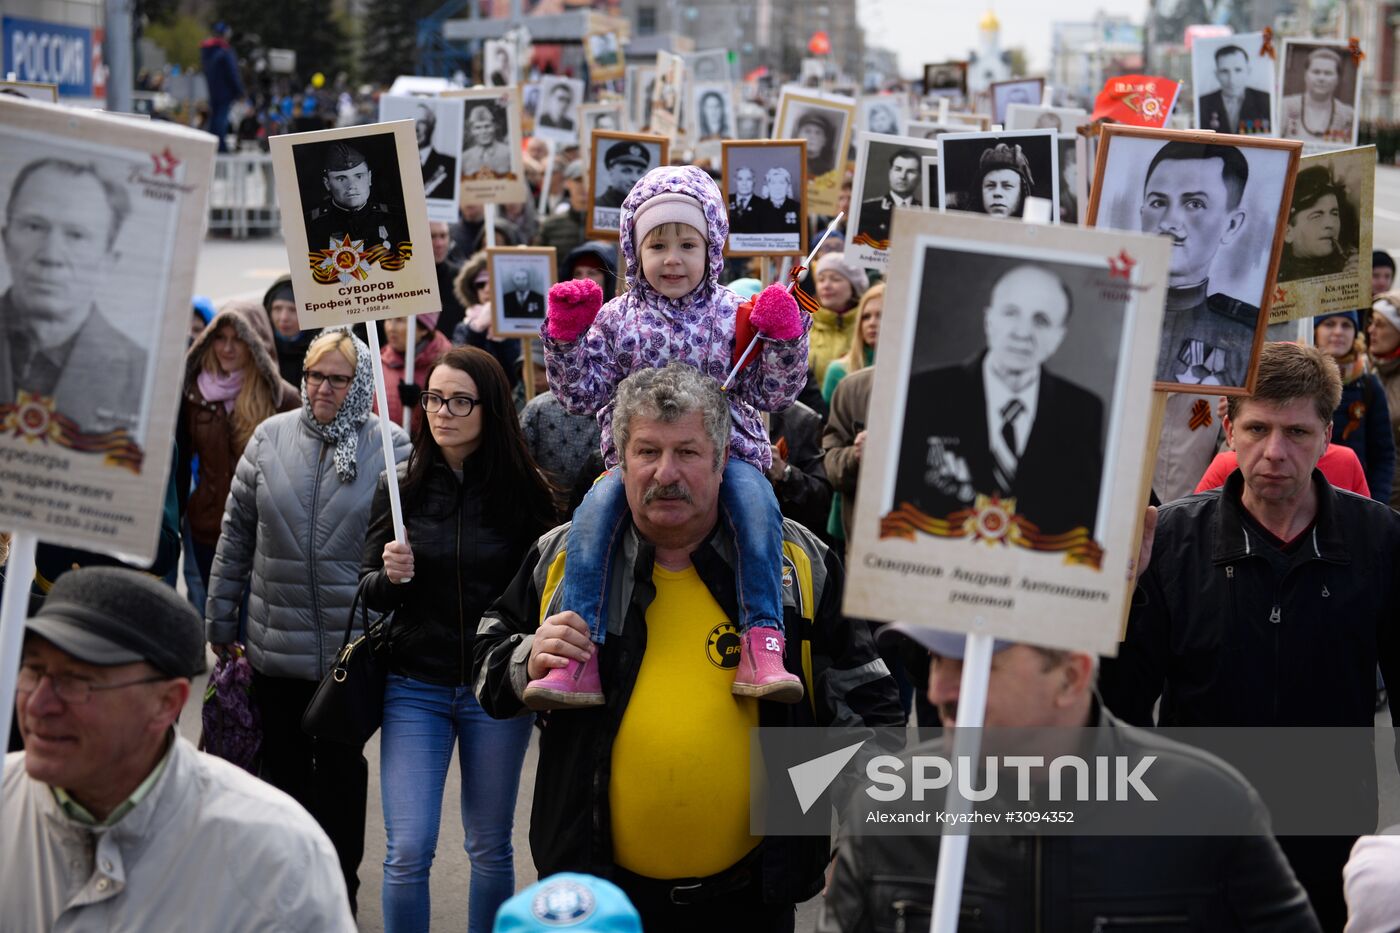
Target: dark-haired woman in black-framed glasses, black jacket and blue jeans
[[474, 504]]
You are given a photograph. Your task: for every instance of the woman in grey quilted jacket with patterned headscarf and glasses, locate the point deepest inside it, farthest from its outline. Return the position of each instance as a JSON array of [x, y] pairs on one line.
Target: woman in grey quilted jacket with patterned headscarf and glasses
[[295, 527]]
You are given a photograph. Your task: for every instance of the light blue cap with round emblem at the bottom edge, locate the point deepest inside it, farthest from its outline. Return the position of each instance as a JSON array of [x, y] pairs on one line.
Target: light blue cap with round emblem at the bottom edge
[[569, 901]]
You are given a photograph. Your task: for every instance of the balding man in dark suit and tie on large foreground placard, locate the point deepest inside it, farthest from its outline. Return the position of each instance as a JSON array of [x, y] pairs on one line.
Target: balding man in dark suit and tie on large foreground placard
[[1000, 424]]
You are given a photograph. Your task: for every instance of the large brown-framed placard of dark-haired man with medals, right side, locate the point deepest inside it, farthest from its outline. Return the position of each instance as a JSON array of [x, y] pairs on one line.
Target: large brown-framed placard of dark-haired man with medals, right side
[[1224, 201]]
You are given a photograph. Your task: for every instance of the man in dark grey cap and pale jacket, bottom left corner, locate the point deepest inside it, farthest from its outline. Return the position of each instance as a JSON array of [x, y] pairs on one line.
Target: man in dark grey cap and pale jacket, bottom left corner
[[111, 819]]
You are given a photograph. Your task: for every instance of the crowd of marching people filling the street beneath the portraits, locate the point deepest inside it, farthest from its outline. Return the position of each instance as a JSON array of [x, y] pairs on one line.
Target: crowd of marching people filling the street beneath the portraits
[[603, 543]]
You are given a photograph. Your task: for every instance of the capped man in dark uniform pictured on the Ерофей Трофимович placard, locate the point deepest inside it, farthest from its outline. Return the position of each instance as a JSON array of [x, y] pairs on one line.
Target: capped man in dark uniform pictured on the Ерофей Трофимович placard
[[348, 211]]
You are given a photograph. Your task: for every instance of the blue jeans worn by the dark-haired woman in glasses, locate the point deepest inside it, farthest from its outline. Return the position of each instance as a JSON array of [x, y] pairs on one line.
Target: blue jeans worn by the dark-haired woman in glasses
[[421, 725]]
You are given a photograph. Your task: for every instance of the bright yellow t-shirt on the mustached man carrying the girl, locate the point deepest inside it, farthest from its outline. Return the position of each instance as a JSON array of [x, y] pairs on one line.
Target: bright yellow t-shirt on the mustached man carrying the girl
[[681, 759]]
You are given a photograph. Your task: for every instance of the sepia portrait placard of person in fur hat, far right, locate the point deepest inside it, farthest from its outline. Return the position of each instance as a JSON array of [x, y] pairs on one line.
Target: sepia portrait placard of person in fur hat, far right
[[1326, 261]]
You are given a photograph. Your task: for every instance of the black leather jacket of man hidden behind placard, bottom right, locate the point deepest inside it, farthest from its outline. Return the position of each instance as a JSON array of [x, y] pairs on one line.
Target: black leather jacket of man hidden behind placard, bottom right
[[1081, 883]]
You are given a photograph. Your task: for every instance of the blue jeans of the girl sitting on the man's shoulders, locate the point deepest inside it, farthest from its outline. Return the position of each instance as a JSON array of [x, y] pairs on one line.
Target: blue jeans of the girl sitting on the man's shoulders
[[751, 513]]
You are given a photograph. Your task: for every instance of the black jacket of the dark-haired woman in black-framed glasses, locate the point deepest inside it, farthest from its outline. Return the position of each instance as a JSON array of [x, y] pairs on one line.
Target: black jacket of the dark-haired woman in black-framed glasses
[[461, 564]]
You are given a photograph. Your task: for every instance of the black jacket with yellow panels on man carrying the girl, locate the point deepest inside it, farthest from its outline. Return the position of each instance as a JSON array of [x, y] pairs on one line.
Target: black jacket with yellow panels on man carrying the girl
[[846, 682]]
